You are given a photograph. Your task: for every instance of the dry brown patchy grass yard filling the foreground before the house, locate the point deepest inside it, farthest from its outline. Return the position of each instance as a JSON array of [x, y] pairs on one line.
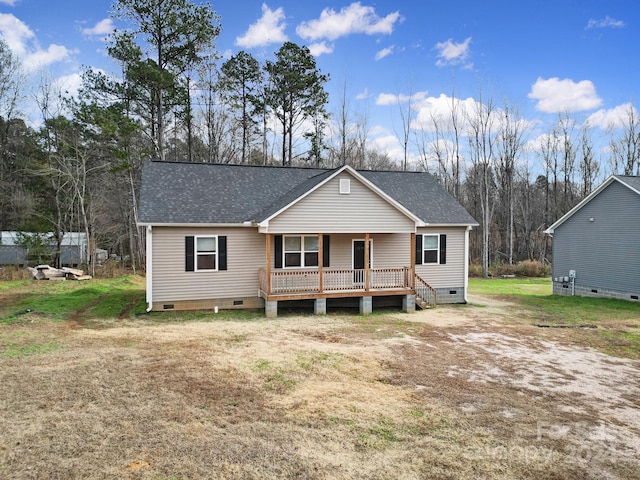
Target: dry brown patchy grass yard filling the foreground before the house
[[439, 394]]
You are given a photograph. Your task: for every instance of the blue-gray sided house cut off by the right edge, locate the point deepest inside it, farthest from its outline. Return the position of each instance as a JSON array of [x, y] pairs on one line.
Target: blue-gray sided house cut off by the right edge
[[596, 246]]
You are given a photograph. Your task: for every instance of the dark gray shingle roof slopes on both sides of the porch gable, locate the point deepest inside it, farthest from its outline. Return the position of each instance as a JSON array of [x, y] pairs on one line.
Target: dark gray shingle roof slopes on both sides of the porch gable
[[192, 193]]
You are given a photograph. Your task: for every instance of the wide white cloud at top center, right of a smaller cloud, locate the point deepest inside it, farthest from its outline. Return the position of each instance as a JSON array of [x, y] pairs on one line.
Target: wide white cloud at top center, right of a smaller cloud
[[355, 18]]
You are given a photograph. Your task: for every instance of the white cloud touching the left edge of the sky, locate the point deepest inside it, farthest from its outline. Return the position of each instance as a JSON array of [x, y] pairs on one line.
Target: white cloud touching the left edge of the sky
[[22, 41]]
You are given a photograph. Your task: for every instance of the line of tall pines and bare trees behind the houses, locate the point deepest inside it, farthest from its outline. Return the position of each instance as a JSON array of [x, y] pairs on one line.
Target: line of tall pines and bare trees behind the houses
[[176, 99]]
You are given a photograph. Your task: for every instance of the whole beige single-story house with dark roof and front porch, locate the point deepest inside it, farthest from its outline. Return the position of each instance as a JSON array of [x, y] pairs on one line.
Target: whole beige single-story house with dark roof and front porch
[[240, 236]]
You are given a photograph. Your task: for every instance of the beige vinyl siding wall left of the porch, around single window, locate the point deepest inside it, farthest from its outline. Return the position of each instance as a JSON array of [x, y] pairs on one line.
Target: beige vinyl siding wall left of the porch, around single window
[[245, 255]]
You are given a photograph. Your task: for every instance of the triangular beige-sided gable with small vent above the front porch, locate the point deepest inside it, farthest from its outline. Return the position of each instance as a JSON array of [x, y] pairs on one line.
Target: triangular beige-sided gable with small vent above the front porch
[[325, 210]]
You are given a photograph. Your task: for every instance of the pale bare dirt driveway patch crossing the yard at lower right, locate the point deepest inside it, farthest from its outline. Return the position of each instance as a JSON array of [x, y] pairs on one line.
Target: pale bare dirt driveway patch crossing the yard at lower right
[[530, 380]]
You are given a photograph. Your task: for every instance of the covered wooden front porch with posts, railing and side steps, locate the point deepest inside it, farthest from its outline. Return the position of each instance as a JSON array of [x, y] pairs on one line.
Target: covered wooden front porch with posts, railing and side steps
[[279, 281]]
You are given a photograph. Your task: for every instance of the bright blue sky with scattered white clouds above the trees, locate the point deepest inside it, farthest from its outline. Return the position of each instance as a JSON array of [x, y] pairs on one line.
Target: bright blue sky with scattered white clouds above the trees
[[545, 57]]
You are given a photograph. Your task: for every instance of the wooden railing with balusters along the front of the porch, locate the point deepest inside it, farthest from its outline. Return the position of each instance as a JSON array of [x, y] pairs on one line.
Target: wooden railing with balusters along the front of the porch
[[333, 280]]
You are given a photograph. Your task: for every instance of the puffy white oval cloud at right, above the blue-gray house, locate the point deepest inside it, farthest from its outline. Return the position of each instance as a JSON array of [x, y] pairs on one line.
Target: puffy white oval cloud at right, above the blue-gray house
[[555, 95]]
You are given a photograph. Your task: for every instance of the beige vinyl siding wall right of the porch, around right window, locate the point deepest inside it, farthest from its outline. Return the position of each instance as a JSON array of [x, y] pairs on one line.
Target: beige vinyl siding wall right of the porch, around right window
[[452, 274]]
